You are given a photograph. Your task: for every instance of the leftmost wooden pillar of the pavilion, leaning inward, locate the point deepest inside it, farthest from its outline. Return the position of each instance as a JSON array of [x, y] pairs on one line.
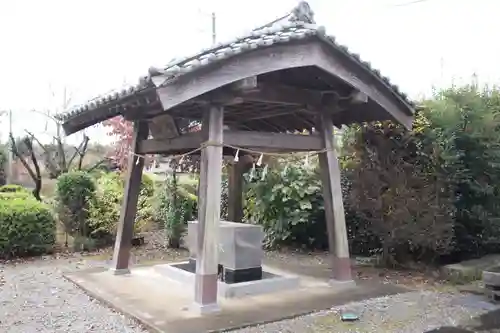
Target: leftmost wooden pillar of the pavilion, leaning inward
[[125, 229]]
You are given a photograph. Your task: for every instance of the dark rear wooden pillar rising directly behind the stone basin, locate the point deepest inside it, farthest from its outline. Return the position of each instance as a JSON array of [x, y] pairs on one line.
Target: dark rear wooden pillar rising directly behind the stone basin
[[235, 189]]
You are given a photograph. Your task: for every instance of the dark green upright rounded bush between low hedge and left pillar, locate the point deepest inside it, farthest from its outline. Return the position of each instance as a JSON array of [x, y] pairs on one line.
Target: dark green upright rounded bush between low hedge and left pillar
[[74, 192]]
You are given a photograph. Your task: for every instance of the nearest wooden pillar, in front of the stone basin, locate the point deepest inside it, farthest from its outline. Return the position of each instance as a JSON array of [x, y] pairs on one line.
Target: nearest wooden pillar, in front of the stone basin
[[207, 252]]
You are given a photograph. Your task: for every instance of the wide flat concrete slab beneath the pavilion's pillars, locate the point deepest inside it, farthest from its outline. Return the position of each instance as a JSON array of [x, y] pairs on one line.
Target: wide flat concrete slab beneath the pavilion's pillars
[[164, 305]]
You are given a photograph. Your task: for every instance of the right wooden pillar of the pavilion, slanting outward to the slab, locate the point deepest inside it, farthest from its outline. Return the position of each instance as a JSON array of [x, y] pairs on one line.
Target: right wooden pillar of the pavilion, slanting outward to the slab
[[334, 207]]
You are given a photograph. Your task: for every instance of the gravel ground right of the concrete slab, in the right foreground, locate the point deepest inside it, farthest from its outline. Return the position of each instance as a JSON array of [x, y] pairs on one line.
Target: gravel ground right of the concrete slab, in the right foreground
[[419, 311]]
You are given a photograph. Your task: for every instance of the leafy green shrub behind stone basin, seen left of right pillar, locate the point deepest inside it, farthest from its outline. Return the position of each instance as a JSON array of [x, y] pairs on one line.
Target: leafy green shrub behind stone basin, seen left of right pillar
[[288, 203]]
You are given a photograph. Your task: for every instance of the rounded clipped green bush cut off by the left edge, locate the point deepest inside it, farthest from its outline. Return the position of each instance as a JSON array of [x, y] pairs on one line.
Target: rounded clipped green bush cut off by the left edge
[[27, 227]]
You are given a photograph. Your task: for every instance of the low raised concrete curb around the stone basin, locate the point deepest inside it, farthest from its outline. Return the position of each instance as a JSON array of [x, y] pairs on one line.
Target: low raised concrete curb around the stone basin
[[270, 283]]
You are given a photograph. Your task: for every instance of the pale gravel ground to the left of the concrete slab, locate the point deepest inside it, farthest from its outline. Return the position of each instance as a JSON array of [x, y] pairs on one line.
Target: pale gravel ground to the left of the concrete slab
[[35, 297]]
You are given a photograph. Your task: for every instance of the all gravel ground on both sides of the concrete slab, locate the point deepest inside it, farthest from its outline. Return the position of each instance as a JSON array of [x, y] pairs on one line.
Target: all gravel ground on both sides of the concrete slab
[[34, 297]]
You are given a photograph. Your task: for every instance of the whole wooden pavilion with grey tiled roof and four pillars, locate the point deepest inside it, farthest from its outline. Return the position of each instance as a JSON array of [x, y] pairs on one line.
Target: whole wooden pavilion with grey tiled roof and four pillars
[[253, 92]]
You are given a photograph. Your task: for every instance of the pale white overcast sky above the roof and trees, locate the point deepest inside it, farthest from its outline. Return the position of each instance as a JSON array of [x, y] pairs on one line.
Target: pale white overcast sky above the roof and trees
[[88, 48]]
